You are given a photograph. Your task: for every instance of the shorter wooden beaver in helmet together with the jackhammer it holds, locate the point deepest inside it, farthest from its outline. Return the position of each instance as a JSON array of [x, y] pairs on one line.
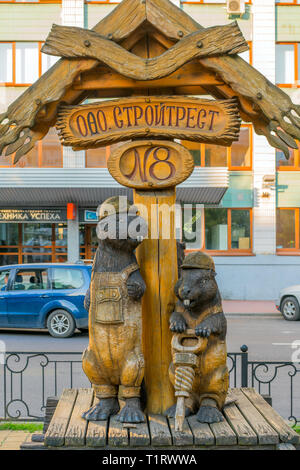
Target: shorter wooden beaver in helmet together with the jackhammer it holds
[[199, 307]]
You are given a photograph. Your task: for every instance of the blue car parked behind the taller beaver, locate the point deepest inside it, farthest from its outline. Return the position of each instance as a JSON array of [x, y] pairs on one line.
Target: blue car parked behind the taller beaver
[[44, 296]]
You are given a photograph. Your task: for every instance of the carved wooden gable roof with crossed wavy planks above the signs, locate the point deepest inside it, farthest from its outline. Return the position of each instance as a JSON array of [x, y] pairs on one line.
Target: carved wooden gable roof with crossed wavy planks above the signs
[[90, 66]]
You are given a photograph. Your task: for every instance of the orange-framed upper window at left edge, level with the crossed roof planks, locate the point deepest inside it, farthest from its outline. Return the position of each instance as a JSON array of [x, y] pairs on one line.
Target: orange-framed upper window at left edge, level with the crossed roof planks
[[22, 63]]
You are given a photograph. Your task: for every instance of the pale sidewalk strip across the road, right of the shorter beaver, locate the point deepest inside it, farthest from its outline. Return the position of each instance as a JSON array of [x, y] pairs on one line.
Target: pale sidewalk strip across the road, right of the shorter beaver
[[255, 307]]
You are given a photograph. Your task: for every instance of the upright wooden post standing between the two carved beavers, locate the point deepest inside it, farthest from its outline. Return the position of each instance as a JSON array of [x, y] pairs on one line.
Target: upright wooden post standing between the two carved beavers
[[157, 258]]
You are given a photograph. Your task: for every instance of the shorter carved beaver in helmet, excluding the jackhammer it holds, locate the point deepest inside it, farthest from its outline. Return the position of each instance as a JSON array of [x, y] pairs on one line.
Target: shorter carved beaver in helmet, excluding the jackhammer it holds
[[199, 307]]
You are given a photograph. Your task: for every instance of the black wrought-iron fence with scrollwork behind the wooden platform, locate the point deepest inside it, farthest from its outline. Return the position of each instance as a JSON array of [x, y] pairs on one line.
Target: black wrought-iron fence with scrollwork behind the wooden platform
[[28, 378]]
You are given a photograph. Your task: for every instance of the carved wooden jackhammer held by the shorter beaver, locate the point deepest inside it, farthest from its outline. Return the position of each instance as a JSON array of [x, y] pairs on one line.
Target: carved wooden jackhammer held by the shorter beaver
[[185, 361]]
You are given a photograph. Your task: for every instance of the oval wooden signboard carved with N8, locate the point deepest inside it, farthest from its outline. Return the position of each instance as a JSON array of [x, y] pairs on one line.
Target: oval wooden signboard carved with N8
[[150, 164]]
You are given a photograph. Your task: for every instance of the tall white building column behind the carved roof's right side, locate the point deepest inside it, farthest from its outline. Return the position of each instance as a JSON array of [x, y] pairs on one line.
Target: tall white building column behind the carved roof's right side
[[264, 161]]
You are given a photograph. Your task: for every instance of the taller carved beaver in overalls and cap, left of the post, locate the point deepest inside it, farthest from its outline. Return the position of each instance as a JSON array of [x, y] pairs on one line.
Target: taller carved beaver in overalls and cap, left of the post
[[113, 361]]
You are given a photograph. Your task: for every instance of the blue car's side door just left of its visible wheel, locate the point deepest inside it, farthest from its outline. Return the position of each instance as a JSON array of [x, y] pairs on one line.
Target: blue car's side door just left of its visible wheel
[[28, 294]]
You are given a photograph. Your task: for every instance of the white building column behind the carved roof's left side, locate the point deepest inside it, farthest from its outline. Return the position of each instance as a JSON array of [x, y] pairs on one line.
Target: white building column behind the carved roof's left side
[[73, 15]]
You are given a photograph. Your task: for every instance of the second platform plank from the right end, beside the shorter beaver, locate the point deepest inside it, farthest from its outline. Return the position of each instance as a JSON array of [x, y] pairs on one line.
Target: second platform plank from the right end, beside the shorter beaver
[[265, 433]]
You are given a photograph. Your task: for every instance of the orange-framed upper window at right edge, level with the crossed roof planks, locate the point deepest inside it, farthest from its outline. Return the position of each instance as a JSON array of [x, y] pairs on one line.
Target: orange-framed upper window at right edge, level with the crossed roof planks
[[287, 64]]
